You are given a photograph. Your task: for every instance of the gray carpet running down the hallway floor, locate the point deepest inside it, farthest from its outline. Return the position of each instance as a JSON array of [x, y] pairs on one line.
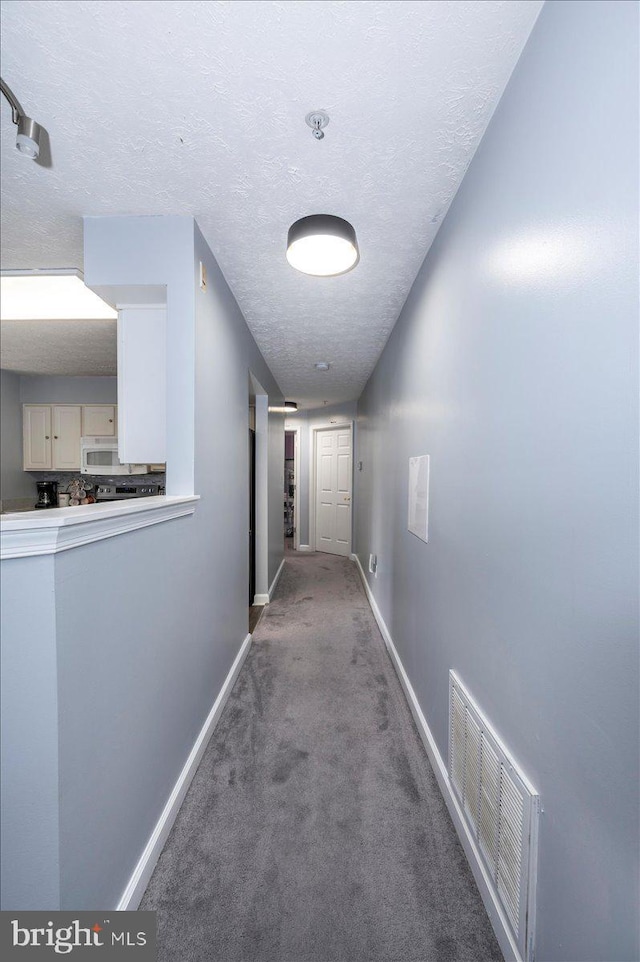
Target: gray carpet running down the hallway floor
[[314, 829]]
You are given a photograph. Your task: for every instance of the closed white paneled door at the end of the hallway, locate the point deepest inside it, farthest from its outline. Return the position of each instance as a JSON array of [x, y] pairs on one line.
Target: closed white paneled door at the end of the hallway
[[333, 490]]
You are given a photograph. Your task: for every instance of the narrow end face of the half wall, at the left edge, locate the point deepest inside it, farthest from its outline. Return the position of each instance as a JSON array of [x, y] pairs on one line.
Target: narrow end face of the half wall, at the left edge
[[29, 811]]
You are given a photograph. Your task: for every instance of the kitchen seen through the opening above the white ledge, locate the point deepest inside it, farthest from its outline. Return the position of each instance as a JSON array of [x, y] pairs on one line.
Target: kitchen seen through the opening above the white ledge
[[59, 392]]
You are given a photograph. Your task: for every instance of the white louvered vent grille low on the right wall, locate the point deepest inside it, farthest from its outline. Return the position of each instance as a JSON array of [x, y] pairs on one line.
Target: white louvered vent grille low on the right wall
[[500, 808]]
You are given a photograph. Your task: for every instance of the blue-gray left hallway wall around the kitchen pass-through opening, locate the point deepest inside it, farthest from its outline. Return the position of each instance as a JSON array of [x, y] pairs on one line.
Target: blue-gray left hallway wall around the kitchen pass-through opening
[[147, 624]]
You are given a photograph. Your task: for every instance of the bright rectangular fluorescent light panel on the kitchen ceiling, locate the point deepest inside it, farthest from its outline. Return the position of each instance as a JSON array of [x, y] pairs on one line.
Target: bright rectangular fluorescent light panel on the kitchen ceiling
[[50, 297]]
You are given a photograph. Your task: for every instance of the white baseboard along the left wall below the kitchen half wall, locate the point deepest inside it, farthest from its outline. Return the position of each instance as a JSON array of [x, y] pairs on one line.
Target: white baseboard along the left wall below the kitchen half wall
[[142, 873]]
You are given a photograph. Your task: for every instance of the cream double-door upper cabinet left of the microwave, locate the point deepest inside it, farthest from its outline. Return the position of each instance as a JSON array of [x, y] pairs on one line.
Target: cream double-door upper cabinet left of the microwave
[[51, 437]]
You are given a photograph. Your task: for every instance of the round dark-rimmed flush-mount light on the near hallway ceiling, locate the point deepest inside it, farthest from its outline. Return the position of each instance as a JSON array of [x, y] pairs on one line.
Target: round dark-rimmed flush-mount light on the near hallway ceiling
[[322, 245]]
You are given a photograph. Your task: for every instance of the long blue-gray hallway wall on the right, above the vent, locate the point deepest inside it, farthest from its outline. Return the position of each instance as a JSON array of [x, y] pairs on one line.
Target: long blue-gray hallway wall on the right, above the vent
[[514, 365]]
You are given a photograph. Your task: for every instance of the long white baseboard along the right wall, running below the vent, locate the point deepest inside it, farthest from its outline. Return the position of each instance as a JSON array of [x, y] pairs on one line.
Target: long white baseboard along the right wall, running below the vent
[[494, 909]]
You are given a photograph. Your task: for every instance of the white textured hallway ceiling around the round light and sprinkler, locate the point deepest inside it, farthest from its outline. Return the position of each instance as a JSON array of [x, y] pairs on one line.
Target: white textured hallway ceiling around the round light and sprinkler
[[198, 108]]
